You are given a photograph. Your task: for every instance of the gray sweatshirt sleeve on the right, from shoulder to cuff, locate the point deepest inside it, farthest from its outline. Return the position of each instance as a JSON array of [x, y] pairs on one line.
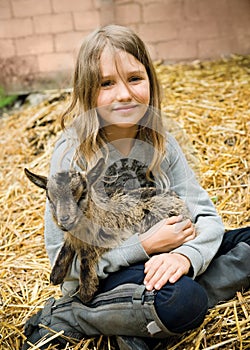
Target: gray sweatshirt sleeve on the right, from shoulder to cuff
[[209, 226]]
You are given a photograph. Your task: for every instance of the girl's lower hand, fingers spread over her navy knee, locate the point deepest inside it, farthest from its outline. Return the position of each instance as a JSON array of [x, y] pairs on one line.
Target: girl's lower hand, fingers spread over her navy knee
[[163, 268]]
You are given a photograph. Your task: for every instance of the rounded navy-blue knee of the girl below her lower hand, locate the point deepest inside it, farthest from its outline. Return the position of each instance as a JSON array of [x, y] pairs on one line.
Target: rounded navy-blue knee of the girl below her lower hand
[[182, 306]]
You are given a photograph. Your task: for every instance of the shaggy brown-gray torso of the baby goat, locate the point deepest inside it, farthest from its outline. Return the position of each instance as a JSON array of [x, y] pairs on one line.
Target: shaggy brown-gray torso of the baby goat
[[134, 211]]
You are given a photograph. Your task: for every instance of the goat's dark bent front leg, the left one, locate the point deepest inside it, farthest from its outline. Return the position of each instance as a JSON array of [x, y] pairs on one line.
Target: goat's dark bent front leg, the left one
[[62, 263]]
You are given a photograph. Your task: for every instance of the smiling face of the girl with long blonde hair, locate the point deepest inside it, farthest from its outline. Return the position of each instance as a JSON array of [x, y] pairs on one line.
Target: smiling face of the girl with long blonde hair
[[124, 92]]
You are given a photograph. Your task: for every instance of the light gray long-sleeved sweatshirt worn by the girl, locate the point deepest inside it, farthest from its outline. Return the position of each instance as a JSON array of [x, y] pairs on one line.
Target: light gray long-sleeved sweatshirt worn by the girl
[[180, 178]]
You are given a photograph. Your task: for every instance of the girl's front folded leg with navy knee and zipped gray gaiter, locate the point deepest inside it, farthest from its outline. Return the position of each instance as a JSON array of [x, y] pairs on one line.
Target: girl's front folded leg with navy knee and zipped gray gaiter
[[124, 307]]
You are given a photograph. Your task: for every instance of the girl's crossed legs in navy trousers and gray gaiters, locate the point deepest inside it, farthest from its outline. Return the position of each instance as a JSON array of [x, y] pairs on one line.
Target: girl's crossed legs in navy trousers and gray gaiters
[[124, 307]]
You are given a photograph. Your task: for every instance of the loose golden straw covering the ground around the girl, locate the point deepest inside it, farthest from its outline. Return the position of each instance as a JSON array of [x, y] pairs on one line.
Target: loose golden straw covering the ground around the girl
[[207, 108]]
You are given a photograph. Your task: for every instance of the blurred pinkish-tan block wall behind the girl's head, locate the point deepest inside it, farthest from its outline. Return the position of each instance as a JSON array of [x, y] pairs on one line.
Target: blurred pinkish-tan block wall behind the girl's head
[[39, 39]]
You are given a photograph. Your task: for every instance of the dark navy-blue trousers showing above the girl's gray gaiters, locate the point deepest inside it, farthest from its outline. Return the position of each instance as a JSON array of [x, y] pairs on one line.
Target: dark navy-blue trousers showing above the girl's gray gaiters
[[183, 305]]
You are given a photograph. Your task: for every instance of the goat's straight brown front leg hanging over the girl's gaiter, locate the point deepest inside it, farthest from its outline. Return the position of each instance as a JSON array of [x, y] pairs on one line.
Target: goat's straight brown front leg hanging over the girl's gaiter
[[89, 281]]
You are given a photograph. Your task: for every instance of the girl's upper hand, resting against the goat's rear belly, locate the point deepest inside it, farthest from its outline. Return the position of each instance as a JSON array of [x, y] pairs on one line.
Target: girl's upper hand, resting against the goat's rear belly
[[167, 235]]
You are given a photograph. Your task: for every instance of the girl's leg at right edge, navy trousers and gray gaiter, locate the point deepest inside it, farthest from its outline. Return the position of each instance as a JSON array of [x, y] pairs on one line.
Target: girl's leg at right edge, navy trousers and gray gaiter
[[229, 272]]
